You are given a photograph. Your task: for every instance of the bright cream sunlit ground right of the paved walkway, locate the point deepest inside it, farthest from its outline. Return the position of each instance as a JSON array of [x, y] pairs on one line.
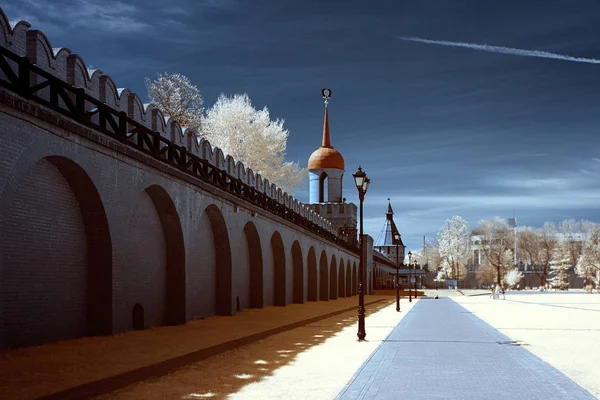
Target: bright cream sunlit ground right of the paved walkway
[[562, 328]]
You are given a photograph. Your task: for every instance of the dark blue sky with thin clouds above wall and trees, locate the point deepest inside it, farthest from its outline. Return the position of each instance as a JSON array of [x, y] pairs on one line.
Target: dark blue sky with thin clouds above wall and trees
[[441, 130]]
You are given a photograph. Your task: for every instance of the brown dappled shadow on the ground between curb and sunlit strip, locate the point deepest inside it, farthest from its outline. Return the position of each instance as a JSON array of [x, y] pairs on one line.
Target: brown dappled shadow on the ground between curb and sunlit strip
[[227, 373]]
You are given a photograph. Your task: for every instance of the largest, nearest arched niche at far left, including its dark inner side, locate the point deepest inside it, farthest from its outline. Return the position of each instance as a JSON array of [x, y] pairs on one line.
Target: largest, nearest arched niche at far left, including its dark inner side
[[56, 179]]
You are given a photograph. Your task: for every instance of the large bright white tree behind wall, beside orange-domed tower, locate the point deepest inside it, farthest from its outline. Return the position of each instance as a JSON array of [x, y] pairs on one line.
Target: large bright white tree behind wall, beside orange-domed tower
[[250, 136]]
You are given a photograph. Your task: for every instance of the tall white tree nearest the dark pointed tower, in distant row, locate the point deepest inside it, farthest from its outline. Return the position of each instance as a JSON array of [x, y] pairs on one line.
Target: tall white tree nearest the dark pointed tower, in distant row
[[454, 247]]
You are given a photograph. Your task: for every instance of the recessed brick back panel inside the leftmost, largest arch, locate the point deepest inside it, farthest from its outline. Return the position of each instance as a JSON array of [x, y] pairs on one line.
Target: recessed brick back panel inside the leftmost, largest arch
[[44, 261]]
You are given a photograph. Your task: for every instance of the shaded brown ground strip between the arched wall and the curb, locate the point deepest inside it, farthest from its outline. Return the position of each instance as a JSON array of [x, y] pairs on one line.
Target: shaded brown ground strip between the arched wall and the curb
[[36, 371]]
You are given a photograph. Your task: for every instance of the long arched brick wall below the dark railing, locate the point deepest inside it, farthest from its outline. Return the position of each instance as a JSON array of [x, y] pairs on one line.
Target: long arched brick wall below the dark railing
[[136, 249]]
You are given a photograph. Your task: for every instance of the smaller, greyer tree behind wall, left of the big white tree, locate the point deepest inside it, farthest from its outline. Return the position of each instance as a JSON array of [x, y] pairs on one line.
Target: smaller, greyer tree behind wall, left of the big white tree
[[178, 98]]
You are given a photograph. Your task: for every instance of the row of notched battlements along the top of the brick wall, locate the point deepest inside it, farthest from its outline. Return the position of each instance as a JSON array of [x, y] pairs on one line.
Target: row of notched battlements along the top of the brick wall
[[69, 67]]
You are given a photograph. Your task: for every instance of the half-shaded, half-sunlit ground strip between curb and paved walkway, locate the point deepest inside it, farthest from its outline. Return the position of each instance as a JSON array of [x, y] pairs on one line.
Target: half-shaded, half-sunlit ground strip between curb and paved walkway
[[311, 362]]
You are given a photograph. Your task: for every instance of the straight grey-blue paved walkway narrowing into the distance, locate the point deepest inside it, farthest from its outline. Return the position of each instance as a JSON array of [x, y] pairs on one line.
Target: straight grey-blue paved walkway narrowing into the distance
[[442, 351]]
